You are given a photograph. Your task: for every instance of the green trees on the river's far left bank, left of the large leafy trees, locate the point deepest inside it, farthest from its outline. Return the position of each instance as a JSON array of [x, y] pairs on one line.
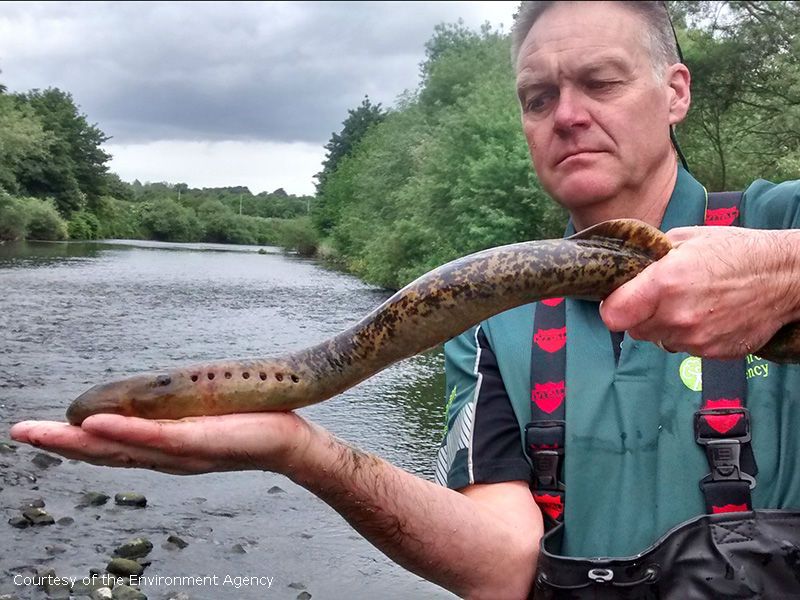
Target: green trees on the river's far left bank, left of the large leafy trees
[[55, 185]]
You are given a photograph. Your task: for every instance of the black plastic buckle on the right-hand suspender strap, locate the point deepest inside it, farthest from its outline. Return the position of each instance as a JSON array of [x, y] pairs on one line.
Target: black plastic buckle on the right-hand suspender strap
[[724, 453]]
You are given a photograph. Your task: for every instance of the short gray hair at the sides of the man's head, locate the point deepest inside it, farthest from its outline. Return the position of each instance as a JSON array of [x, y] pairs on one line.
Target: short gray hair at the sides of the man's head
[[658, 36]]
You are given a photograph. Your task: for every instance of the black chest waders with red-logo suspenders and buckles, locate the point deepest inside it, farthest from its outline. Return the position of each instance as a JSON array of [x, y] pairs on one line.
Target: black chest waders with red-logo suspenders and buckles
[[730, 552]]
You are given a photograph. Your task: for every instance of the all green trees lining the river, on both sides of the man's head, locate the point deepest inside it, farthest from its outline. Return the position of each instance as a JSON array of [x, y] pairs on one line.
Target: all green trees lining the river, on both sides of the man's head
[[442, 173]]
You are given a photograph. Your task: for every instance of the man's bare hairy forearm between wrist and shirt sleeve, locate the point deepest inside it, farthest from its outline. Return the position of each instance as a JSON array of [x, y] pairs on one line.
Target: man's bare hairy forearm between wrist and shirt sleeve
[[442, 535]]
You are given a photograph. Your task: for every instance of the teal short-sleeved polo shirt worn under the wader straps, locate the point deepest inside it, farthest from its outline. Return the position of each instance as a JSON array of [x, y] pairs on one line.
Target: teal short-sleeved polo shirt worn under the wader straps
[[632, 467]]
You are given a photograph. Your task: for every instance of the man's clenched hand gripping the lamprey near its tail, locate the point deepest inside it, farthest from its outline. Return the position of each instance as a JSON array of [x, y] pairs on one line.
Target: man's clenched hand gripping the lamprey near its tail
[[720, 292]]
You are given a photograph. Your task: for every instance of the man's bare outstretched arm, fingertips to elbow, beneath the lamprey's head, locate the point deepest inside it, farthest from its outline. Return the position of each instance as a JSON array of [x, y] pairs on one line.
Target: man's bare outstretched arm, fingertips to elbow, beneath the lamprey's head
[[482, 543]]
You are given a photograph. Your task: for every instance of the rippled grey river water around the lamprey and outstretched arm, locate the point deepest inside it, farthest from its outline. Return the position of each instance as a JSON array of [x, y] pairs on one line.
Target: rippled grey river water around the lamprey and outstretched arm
[[74, 314]]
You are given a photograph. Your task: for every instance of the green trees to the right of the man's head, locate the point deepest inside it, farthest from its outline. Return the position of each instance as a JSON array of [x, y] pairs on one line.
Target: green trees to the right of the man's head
[[745, 116]]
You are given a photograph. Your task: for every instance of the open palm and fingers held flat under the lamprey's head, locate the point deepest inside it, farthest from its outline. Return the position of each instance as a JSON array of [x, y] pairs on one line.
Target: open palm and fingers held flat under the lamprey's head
[[262, 441]]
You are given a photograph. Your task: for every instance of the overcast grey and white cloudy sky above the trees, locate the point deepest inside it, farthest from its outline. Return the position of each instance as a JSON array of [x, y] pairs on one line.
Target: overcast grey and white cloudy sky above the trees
[[228, 93]]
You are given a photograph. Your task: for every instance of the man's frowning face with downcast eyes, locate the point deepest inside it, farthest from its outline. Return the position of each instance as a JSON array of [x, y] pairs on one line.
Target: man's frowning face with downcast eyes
[[595, 118]]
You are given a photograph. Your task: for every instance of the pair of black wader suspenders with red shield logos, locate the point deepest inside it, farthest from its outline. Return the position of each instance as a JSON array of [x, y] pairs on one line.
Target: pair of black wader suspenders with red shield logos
[[722, 425]]
